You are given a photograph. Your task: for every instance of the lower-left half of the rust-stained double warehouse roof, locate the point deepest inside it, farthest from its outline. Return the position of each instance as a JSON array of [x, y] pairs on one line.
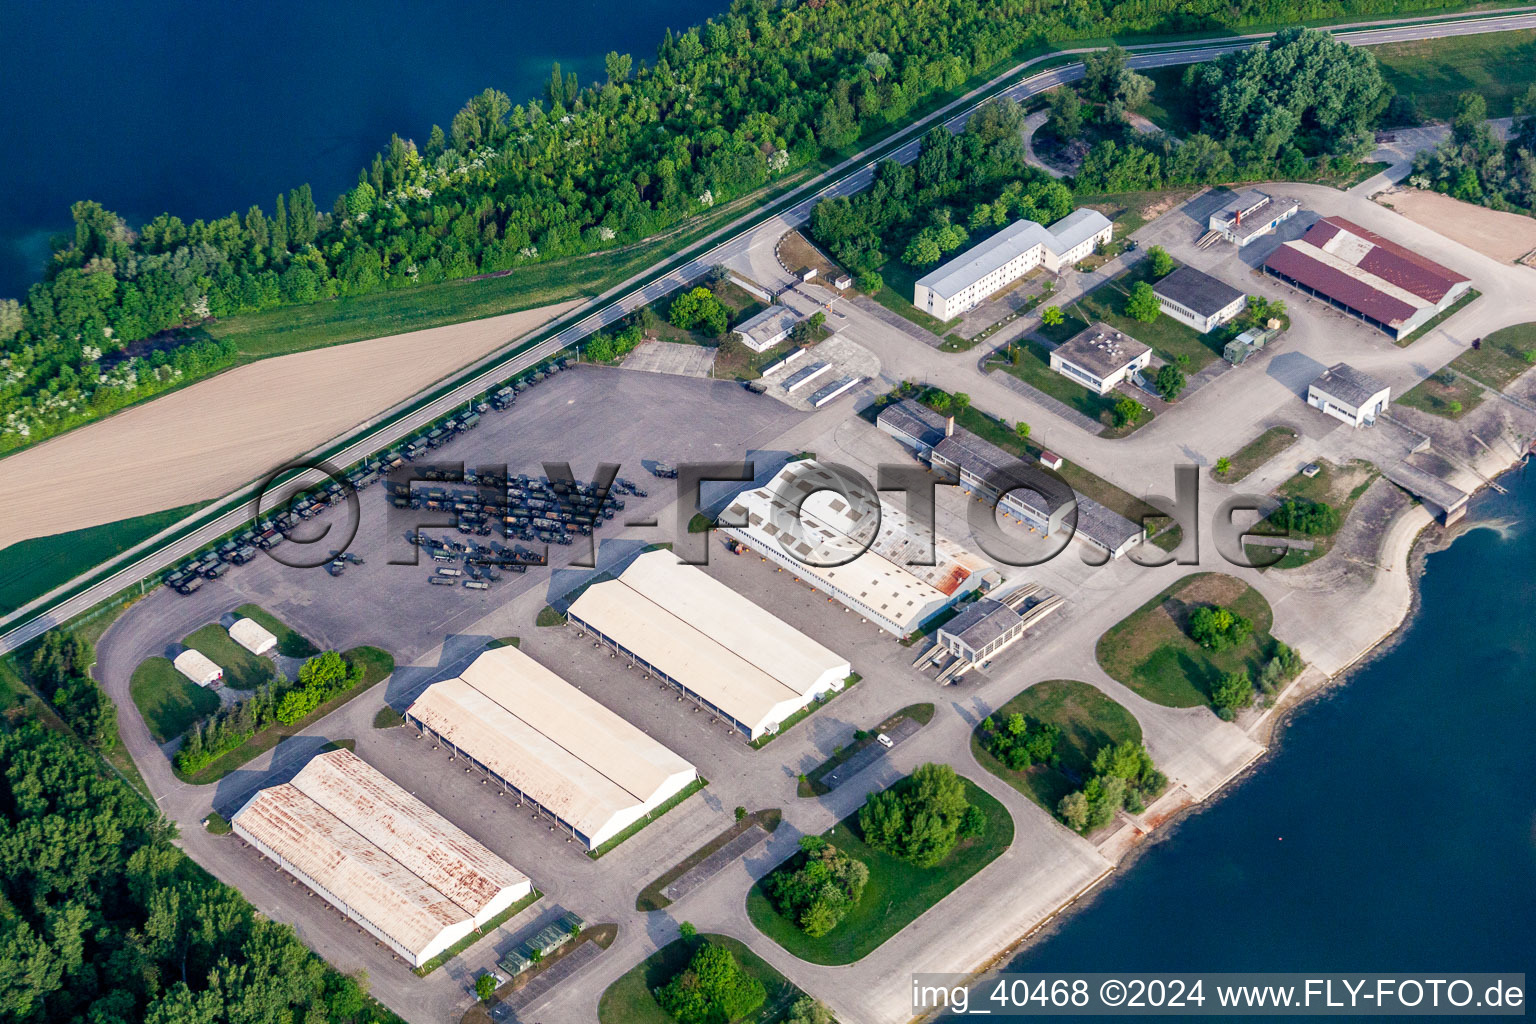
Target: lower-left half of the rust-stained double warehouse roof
[[349, 868]]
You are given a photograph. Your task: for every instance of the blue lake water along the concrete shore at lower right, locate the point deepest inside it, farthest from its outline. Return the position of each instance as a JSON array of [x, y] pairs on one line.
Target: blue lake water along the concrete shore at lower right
[[1394, 828]]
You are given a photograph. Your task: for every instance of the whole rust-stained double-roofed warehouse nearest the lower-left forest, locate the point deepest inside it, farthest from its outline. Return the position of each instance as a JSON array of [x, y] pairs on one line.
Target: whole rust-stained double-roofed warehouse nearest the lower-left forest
[[391, 864]]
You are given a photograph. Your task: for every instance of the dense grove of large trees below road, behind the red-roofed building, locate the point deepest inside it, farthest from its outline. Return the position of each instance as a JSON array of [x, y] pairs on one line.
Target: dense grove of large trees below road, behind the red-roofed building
[[1296, 108]]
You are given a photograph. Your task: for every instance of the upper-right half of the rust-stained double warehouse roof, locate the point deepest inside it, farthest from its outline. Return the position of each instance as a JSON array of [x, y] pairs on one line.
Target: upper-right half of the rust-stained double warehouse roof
[[409, 831]]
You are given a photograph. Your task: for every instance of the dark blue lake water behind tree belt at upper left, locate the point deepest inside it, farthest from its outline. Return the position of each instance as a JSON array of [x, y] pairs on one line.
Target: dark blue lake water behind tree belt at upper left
[[207, 108]]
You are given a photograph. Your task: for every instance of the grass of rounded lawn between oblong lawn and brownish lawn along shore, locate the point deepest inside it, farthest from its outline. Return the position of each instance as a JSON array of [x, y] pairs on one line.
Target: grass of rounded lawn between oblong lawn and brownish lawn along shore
[[1088, 721]]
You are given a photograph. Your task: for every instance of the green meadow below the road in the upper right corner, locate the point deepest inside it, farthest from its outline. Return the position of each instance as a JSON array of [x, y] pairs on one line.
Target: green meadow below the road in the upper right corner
[[1498, 65]]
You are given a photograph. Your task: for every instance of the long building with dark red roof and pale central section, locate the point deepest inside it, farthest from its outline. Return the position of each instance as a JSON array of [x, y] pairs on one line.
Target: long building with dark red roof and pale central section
[[1368, 277]]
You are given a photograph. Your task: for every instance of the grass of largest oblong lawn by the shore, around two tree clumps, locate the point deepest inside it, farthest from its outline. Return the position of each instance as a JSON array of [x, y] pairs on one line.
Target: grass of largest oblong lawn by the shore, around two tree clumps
[[898, 893]]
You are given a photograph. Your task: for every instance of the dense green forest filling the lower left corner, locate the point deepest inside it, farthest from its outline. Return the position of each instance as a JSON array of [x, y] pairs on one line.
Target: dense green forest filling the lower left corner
[[104, 920]]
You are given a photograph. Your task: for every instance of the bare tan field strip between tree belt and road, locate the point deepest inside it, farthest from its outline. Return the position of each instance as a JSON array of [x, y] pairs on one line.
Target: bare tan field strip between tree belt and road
[[208, 440]]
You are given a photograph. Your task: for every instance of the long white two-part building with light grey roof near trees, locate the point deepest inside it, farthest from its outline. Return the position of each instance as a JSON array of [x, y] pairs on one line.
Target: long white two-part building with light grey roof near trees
[[967, 280]]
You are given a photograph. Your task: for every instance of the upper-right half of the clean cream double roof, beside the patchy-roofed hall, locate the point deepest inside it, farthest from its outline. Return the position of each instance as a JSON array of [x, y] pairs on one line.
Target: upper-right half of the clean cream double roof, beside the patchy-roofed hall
[[755, 635]]
